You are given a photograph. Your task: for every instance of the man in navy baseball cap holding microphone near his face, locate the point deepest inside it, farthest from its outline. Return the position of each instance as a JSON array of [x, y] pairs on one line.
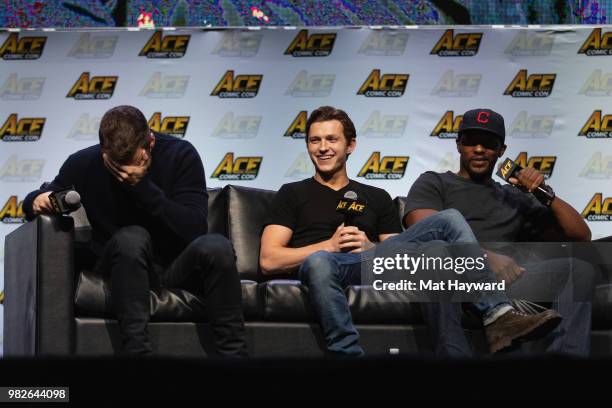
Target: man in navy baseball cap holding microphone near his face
[[502, 214]]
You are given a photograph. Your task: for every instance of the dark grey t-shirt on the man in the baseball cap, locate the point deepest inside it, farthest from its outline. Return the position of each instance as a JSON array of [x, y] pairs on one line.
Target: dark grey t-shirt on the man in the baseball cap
[[495, 213]]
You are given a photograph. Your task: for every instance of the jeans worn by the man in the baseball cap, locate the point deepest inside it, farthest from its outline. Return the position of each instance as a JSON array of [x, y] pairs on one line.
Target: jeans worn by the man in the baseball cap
[[568, 282]]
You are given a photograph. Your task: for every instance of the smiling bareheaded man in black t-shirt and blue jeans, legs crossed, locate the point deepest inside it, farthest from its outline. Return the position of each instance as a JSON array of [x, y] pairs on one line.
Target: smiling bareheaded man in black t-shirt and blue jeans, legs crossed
[[305, 232]]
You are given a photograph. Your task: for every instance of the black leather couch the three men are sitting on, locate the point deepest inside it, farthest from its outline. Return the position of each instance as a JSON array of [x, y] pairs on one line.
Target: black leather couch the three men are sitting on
[[55, 305]]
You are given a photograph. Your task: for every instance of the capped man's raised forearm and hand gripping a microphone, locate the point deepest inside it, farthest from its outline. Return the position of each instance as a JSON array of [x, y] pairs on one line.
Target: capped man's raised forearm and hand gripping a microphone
[[571, 223]]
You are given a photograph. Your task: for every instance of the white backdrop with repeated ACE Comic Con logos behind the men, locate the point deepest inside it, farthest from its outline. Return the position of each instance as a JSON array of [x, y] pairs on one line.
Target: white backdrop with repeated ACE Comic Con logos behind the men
[[36, 75]]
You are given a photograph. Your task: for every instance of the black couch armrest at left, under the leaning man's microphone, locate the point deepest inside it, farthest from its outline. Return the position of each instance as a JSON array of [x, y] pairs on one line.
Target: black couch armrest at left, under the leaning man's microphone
[[39, 288]]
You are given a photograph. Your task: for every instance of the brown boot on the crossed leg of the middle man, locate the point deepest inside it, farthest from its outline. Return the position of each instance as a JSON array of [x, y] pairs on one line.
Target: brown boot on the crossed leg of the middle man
[[514, 326]]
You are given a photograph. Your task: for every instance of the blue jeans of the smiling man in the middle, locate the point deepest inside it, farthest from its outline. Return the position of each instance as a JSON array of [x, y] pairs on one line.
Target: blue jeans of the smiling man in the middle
[[327, 274]]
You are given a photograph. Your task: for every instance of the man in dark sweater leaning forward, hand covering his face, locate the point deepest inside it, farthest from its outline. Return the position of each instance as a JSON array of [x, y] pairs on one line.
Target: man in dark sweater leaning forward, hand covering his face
[[146, 200]]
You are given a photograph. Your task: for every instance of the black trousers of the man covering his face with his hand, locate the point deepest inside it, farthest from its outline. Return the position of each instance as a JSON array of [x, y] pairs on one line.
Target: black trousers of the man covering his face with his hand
[[207, 267]]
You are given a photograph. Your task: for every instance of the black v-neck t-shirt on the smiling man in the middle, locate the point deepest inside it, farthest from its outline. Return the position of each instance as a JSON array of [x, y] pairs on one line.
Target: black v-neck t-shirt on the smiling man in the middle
[[308, 208]]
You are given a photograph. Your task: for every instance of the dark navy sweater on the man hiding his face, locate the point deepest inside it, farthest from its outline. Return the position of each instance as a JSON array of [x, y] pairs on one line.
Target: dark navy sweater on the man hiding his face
[[171, 201]]
